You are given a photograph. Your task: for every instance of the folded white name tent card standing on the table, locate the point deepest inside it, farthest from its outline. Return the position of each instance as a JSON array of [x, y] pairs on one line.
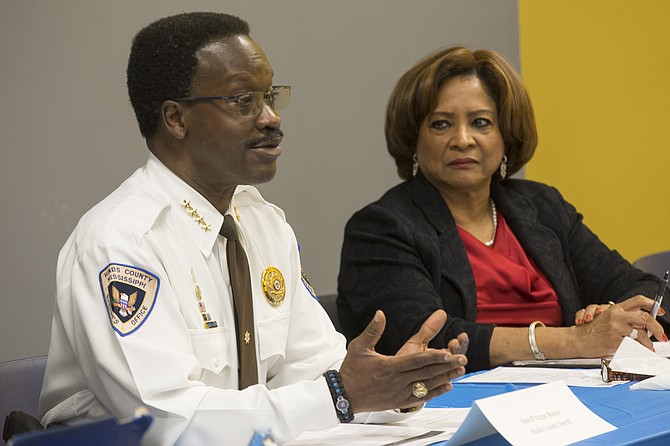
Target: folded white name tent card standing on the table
[[548, 414]]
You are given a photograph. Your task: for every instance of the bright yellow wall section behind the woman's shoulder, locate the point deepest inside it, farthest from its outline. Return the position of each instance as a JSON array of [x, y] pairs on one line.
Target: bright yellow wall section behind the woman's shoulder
[[598, 72]]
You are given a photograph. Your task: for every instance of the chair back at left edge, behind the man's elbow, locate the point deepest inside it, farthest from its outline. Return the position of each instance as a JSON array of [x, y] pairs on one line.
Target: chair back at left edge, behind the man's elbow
[[20, 385]]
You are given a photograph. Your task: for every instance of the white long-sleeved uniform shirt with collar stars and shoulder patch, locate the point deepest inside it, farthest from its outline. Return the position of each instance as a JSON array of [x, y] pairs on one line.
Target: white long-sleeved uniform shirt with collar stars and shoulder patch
[[128, 328]]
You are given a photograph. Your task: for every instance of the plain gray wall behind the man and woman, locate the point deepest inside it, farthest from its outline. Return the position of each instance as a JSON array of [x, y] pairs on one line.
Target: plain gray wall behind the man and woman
[[69, 137]]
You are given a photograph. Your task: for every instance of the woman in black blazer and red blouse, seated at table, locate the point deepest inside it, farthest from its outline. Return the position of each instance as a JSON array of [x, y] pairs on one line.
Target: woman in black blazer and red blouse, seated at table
[[509, 260]]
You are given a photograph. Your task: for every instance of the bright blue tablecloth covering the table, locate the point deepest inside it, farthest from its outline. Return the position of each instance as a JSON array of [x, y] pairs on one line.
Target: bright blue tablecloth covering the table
[[641, 416]]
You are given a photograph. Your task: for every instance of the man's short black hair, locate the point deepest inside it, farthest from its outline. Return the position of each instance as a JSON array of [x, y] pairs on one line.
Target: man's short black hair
[[162, 59]]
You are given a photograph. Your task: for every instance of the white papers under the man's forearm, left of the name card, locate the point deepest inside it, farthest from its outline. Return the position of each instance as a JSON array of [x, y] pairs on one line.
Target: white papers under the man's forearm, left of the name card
[[425, 427]]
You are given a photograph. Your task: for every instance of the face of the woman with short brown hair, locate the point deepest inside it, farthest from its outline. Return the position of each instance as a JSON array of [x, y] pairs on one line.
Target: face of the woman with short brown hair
[[460, 146]]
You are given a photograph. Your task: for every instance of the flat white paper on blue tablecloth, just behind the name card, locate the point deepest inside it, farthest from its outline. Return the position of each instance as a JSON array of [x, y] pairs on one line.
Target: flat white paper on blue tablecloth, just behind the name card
[[535, 375]]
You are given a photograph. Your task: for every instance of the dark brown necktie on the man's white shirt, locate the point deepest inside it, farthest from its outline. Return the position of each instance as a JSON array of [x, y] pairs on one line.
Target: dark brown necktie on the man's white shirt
[[240, 281]]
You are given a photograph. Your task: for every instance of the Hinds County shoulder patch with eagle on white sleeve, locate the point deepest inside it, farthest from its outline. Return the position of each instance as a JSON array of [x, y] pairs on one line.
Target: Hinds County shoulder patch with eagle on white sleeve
[[129, 294]]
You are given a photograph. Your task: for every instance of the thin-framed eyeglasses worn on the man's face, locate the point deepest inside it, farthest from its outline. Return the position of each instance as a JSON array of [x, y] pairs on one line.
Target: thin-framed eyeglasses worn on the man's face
[[250, 103]]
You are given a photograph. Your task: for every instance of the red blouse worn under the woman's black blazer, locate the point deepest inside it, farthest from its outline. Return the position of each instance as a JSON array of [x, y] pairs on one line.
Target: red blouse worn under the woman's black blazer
[[511, 290]]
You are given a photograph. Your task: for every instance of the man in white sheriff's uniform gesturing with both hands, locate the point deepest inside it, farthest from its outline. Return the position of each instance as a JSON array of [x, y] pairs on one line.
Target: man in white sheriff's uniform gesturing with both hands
[[144, 312]]
